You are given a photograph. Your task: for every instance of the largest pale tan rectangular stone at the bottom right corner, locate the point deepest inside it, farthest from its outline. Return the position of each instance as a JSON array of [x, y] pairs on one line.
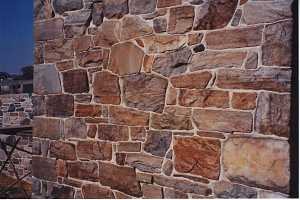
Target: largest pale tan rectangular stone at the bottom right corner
[[257, 162]]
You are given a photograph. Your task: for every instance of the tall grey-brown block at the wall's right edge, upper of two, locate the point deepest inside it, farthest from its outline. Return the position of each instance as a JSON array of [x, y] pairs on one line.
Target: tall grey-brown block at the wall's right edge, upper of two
[[277, 48]]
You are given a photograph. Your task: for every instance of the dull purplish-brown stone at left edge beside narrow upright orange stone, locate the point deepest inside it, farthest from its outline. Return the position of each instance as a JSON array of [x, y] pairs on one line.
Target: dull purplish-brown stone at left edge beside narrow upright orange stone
[[44, 168]]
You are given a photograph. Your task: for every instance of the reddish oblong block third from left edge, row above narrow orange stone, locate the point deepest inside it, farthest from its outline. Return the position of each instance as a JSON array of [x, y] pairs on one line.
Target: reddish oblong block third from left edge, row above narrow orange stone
[[94, 150]]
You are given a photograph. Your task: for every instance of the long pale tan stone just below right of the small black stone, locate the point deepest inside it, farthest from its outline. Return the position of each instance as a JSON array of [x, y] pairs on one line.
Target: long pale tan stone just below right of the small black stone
[[214, 59]]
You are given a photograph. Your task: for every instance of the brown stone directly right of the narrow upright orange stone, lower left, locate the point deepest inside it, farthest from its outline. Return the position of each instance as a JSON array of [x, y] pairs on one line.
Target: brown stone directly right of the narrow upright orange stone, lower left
[[83, 170]]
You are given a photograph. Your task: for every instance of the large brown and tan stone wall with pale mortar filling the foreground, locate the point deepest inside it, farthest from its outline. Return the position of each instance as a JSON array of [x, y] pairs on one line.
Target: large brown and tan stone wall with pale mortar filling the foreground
[[162, 98]]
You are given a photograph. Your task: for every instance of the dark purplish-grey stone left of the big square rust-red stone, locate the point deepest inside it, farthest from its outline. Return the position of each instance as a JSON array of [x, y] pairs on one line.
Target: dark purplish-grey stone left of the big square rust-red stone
[[157, 142]]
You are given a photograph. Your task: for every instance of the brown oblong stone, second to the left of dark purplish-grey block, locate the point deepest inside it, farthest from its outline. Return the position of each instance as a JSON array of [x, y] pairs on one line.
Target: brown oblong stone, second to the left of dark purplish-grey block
[[113, 132]]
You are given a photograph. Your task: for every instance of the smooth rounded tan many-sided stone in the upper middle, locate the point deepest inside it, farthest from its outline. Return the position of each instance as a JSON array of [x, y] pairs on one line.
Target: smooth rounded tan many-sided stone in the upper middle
[[126, 58]]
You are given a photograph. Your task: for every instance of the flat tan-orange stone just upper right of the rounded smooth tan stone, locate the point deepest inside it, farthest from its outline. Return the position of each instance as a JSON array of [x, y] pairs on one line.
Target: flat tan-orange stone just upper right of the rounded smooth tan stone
[[163, 43]]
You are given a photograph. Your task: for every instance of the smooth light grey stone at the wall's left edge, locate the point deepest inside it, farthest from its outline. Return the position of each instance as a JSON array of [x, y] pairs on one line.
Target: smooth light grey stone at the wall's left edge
[[46, 79]]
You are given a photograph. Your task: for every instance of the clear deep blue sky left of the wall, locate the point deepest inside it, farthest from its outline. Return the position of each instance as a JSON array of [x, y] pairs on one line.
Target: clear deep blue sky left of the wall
[[16, 35]]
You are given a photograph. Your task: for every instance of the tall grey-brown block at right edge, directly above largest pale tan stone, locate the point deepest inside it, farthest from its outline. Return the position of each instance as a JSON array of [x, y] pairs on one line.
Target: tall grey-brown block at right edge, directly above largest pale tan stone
[[273, 114]]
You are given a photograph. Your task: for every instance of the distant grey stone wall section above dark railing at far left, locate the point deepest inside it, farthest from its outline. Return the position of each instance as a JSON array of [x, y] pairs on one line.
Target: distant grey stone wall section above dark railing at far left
[[15, 110]]
